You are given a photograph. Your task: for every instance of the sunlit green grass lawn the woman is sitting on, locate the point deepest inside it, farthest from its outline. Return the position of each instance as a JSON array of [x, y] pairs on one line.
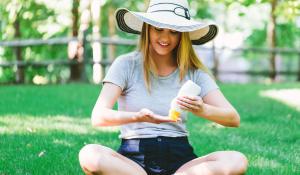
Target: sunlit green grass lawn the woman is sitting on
[[42, 129]]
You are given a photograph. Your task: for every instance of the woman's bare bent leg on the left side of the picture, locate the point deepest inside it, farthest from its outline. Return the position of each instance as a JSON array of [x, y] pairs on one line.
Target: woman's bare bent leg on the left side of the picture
[[97, 159]]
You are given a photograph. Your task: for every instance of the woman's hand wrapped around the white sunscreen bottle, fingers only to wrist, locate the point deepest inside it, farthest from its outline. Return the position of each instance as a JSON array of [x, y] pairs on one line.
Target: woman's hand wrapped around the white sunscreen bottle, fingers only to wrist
[[193, 104]]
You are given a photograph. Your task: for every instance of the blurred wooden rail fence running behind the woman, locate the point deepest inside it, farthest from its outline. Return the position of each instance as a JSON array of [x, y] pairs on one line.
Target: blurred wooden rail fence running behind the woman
[[109, 41]]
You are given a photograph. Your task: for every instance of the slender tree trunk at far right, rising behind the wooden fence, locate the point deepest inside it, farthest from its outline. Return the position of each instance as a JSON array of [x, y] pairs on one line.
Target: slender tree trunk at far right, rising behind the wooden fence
[[272, 40]]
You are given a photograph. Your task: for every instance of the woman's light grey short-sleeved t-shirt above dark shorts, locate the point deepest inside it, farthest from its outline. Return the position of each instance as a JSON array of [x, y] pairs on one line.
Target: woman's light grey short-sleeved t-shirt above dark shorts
[[127, 73]]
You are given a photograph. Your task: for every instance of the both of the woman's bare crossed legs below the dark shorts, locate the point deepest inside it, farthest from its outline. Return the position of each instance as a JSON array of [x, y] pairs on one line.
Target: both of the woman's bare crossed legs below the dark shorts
[[100, 160]]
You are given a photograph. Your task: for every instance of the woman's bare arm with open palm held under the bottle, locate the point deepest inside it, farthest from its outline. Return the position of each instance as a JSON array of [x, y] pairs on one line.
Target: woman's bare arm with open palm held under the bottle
[[104, 115]]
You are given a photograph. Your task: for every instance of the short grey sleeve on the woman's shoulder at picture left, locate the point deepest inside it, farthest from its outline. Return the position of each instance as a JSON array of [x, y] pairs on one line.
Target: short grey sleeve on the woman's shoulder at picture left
[[118, 73]]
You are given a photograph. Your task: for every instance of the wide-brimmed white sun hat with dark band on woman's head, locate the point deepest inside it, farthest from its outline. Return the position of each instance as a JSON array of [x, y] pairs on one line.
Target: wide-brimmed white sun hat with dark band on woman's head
[[170, 14]]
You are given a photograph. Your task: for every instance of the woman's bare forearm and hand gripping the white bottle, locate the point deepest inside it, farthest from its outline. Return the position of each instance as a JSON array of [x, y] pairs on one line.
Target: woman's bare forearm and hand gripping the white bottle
[[214, 107]]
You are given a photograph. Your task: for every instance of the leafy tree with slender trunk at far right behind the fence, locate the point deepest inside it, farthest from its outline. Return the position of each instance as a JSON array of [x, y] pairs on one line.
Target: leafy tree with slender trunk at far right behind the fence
[[286, 10]]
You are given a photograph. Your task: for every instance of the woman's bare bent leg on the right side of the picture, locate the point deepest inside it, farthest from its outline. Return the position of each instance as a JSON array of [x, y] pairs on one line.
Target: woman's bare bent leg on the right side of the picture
[[216, 163]]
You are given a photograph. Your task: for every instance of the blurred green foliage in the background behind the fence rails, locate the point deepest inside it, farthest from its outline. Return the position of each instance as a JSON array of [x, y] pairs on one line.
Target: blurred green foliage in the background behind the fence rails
[[35, 16]]
